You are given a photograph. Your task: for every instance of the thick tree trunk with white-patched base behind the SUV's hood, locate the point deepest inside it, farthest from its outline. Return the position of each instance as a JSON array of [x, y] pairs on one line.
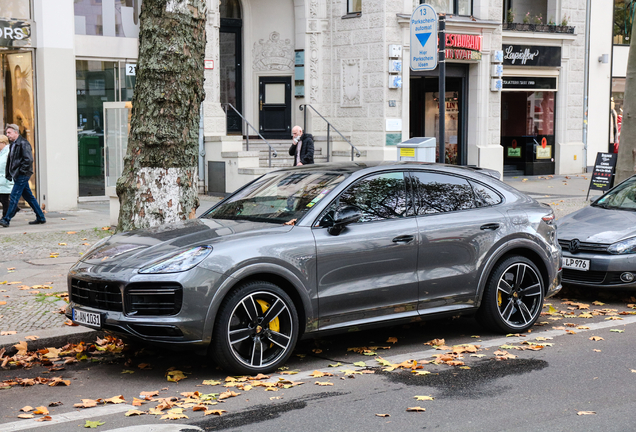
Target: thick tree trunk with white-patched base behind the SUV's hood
[[159, 181]]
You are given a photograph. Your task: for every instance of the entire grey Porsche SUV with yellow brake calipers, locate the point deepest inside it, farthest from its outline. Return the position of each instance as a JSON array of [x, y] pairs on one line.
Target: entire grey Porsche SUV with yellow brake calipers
[[323, 248]]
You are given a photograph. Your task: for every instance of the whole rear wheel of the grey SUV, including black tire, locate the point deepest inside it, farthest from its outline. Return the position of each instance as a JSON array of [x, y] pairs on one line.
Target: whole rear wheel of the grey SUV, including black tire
[[513, 297]]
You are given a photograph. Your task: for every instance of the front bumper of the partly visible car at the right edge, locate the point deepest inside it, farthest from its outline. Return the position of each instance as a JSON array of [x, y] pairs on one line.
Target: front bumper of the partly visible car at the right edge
[[605, 271]]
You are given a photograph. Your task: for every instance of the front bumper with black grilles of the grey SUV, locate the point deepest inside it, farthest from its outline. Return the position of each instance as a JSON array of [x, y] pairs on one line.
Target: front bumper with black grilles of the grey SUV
[[166, 309]]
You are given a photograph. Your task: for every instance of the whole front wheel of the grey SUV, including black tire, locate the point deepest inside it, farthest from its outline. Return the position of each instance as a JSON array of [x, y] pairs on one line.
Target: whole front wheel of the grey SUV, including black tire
[[249, 340]]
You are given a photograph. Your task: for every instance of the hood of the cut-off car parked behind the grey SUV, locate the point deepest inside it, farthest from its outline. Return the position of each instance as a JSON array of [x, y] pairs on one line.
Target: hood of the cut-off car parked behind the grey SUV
[[597, 225]]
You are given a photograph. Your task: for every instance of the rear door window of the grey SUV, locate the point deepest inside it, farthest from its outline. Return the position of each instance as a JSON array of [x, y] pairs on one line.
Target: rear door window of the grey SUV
[[439, 193]]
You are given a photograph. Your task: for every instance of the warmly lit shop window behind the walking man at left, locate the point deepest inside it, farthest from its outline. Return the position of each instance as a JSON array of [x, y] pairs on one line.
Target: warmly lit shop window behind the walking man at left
[[16, 69]]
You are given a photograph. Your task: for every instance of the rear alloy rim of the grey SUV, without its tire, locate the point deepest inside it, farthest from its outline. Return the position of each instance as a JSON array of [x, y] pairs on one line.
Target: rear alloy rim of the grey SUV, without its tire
[[519, 292]]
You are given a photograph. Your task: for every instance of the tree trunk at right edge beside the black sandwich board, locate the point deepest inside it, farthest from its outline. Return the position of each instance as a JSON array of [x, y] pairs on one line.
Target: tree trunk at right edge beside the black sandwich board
[[626, 163]]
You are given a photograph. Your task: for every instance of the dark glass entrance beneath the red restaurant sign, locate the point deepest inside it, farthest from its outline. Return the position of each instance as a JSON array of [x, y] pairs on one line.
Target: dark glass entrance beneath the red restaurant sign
[[424, 111]]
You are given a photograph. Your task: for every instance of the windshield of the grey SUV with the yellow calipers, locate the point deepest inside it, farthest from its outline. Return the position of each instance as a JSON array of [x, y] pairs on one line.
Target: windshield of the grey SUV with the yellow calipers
[[282, 197]]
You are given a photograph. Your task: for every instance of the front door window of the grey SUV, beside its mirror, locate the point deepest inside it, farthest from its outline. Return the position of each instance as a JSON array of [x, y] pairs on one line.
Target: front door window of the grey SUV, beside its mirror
[[379, 197]]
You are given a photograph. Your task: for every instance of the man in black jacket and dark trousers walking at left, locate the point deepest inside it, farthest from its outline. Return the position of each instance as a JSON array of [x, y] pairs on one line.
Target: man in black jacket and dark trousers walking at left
[[19, 169]]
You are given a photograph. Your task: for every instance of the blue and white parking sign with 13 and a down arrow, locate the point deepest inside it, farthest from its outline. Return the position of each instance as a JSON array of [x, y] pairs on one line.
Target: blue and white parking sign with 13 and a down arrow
[[423, 28]]
